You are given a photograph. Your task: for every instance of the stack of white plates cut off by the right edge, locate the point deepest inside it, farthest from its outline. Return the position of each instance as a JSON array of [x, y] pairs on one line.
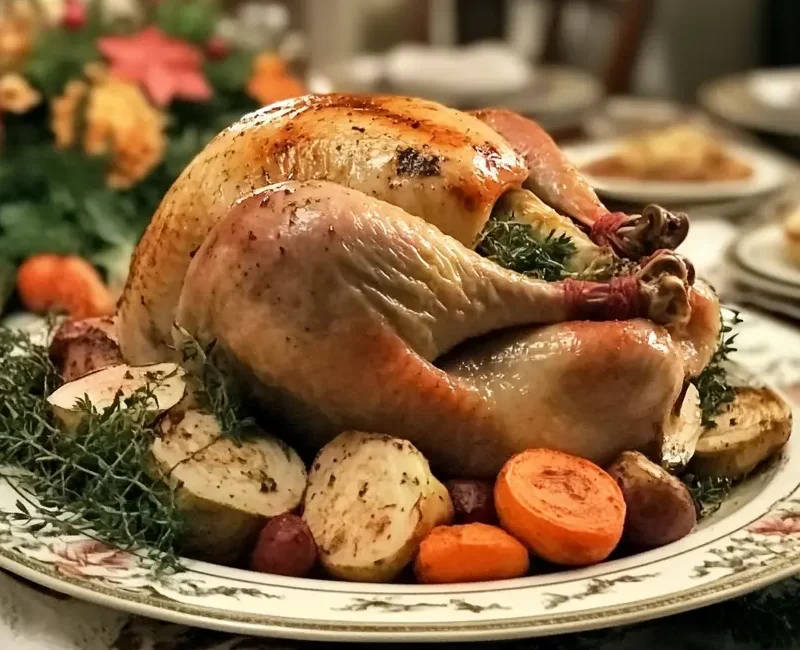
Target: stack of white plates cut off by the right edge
[[762, 273]]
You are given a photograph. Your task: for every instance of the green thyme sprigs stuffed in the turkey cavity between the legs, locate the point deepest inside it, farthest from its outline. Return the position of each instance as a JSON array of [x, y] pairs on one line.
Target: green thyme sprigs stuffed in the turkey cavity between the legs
[[517, 247]]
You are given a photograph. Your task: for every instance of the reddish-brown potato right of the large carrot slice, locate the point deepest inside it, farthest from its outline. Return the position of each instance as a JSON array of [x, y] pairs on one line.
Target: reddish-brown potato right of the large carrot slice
[[660, 509]]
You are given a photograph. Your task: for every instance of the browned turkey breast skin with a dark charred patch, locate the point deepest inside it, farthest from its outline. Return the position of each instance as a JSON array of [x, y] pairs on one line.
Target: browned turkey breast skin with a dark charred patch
[[434, 162]]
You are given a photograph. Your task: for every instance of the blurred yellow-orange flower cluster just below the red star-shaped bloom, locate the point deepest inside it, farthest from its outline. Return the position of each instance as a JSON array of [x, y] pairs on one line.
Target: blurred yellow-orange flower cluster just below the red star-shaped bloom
[[118, 121]]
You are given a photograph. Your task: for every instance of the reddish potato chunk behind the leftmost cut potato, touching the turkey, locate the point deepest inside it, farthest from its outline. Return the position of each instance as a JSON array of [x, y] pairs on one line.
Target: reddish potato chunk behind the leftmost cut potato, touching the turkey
[[83, 346]]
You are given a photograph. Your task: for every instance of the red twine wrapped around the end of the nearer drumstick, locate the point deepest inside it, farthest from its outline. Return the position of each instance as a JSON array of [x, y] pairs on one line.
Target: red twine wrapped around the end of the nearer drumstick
[[618, 299]]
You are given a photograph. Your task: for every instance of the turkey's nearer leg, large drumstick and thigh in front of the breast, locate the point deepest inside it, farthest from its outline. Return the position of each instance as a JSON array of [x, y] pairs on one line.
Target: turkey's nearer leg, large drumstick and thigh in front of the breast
[[334, 305]]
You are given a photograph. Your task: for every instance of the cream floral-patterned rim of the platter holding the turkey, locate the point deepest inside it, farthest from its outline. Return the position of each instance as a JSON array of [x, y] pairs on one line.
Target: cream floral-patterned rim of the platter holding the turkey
[[752, 541]]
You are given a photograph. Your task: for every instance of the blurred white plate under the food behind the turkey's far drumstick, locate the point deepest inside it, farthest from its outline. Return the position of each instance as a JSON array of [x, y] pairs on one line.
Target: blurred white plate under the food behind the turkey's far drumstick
[[769, 174]]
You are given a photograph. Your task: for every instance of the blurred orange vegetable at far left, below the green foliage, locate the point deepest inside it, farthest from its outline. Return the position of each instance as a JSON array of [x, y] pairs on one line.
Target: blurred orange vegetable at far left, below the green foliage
[[52, 282]]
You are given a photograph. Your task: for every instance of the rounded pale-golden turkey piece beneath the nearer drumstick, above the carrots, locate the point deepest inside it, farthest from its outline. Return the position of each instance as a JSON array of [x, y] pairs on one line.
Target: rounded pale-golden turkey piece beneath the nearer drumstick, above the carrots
[[590, 389]]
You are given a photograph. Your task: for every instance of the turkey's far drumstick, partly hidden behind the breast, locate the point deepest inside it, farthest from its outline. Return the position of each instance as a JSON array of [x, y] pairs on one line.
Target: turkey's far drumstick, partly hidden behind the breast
[[558, 183]]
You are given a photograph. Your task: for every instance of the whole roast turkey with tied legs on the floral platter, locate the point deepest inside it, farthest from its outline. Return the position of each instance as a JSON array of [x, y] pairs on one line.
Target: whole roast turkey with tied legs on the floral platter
[[325, 246]]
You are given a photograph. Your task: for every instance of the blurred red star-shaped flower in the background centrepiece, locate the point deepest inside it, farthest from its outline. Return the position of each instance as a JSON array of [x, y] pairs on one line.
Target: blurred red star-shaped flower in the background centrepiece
[[165, 67]]
